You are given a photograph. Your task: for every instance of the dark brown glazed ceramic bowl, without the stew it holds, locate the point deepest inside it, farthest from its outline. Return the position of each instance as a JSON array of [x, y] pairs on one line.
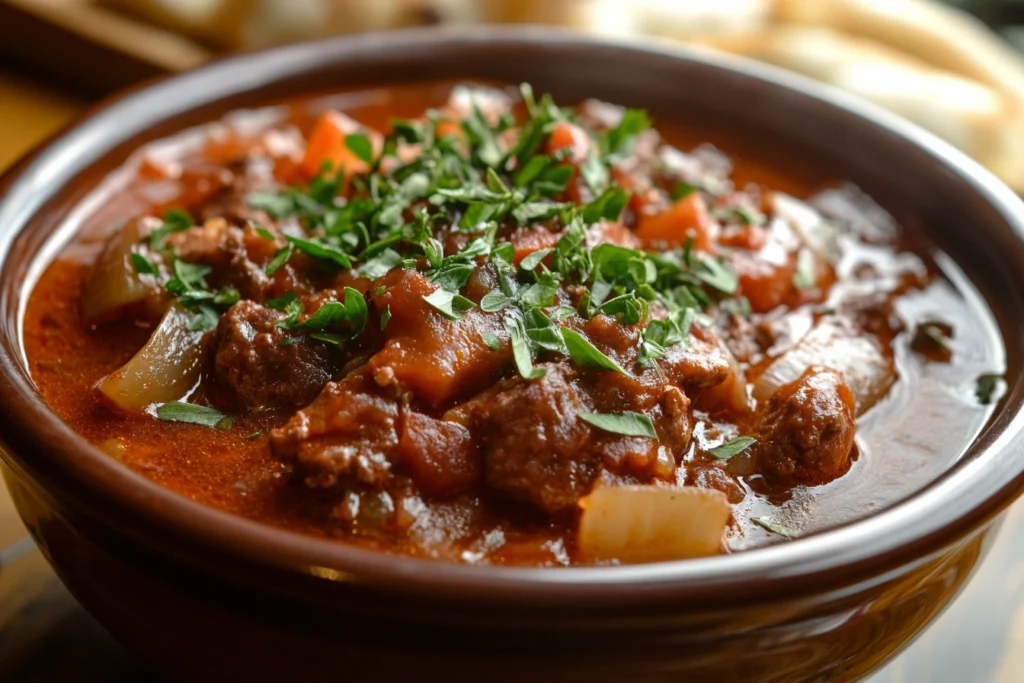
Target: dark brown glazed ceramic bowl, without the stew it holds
[[212, 597]]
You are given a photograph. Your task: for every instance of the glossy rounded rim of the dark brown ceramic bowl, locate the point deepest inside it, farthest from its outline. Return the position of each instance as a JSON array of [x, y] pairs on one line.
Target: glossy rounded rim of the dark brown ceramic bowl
[[952, 507]]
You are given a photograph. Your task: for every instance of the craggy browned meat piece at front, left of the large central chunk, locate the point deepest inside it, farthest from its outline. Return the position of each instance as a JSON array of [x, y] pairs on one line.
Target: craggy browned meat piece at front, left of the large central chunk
[[350, 433]]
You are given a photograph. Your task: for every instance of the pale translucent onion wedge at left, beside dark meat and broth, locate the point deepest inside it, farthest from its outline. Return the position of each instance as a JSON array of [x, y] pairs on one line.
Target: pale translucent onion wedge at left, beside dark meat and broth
[[166, 369]]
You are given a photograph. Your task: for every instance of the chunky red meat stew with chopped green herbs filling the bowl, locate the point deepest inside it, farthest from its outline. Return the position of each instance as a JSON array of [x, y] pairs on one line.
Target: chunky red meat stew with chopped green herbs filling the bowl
[[465, 323]]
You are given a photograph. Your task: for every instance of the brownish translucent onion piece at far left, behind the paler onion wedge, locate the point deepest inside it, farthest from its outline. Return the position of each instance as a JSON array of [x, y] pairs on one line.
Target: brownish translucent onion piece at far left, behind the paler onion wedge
[[114, 284]]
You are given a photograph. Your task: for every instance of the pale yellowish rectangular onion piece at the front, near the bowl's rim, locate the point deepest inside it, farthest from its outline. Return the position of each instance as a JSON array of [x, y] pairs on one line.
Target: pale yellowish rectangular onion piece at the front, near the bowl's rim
[[635, 525]]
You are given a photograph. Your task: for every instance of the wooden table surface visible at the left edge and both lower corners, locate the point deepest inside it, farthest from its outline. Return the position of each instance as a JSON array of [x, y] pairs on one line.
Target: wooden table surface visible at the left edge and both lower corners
[[46, 636]]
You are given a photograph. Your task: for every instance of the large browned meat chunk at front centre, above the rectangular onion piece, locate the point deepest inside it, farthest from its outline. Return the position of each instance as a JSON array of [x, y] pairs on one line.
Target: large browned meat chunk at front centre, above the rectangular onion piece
[[536, 448]]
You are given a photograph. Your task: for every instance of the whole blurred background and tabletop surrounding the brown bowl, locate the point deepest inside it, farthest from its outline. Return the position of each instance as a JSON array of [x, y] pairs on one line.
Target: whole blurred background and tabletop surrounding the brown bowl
[[955, 68]]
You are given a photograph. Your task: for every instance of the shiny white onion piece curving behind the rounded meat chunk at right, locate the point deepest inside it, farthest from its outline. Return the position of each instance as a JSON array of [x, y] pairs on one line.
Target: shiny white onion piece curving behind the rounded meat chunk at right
[[866, 370]]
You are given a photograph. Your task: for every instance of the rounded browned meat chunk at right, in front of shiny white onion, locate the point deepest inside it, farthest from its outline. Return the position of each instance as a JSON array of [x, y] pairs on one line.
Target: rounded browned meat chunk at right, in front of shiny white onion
[[805, 432]]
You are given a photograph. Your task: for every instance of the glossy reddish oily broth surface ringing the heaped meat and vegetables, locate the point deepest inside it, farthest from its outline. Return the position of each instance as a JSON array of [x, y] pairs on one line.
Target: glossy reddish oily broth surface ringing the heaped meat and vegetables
[[910, 439]]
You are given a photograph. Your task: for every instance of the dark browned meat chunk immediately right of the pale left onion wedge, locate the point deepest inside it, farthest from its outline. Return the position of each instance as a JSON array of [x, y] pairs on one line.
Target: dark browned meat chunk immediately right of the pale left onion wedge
[[255, 372]]
